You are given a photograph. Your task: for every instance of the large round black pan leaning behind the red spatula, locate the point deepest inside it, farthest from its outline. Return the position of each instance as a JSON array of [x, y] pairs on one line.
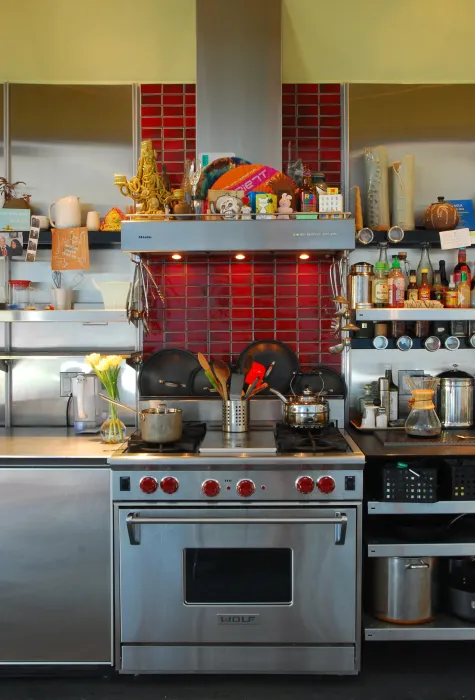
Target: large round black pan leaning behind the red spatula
[[265, 352]]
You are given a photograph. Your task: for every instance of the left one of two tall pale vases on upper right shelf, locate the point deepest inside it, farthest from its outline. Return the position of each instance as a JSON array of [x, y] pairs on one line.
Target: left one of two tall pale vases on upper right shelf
[[377, 188]]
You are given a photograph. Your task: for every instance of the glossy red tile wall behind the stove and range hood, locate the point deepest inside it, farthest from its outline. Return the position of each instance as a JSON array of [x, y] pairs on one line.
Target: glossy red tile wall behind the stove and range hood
[[218, 305]]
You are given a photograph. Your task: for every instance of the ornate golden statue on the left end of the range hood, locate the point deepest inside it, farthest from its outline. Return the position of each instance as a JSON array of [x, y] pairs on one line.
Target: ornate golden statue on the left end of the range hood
[[147, 188]]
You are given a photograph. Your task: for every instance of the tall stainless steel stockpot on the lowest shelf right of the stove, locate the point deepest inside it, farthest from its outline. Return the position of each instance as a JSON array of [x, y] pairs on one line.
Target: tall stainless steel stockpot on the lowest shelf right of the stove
[[404, 589]]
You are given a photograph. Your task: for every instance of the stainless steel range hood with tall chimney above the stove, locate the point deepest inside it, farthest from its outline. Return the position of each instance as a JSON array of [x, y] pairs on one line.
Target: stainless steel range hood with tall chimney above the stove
[[239, 110]]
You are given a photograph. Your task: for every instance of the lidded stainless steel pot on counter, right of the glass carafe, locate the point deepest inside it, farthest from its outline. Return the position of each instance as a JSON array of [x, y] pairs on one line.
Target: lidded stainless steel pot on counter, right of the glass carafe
[[455, 399]]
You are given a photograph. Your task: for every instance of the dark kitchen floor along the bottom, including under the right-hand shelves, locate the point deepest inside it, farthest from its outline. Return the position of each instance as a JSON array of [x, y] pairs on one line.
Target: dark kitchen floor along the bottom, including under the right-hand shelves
[[431, 671]]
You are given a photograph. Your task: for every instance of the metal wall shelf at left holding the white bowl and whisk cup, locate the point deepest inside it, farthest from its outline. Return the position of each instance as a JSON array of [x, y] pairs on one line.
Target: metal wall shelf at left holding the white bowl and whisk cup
[[85, 316]]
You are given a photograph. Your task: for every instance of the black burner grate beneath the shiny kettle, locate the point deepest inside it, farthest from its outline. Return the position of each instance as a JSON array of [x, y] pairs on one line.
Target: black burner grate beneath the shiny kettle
[[311, 440]]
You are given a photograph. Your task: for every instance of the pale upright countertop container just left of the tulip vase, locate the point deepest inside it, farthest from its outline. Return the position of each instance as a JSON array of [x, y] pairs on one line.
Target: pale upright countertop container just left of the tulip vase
[[89, 412]]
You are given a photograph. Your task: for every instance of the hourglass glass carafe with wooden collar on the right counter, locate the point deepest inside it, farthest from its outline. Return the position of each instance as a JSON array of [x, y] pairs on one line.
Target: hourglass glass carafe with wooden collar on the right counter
[[422, 421]]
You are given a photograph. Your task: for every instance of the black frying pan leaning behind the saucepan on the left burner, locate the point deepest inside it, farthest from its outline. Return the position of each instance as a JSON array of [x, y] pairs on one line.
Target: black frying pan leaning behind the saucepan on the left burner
[[165, 369]]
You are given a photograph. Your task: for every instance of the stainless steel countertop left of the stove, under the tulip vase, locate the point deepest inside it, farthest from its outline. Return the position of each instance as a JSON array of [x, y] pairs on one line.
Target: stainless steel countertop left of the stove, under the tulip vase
[[18, 444]]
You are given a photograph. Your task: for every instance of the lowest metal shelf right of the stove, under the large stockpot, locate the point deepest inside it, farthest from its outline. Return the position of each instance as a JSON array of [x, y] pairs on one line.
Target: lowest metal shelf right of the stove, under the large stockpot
[[443, 628]]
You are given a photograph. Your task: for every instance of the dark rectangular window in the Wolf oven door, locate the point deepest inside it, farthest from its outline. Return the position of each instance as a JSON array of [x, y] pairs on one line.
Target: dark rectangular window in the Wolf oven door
[[237, 576]]
